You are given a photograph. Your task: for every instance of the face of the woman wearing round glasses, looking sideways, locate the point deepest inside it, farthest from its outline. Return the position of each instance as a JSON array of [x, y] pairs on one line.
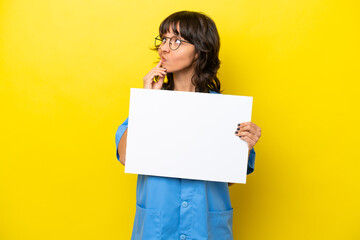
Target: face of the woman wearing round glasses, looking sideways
[[177, 60]]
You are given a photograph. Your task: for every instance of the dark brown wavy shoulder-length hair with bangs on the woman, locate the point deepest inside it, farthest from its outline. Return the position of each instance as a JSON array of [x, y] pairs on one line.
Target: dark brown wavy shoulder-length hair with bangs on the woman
[[200, 30]]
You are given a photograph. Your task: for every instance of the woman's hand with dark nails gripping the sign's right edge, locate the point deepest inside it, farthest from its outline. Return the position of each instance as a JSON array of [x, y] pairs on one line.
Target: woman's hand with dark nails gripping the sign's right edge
[[248, 132]]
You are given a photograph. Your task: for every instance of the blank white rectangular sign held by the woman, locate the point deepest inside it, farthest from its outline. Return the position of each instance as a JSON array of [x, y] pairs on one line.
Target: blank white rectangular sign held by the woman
[[187, 135]]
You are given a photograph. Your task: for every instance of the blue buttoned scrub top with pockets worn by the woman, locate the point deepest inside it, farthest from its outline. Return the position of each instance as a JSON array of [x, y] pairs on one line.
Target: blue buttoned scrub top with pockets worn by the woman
[[175, 208]]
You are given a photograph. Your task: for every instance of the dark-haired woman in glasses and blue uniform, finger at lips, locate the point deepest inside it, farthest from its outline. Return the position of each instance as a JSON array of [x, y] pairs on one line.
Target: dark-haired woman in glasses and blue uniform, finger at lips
[[175, 208]]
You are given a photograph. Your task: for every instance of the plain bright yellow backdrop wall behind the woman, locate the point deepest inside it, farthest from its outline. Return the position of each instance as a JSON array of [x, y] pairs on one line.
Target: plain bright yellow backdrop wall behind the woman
[[66, 69]]
